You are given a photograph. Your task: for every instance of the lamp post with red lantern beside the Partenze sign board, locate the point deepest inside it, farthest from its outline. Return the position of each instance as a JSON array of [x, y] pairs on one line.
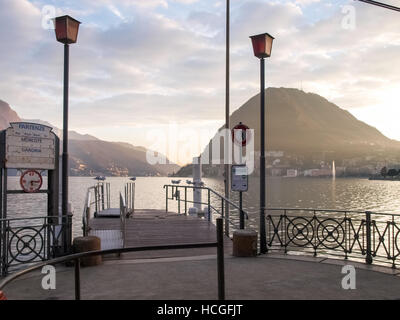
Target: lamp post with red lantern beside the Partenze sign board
[[66, 32]]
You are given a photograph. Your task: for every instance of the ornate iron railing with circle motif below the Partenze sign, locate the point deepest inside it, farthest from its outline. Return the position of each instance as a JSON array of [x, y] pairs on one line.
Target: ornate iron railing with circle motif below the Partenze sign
[[28, 240]]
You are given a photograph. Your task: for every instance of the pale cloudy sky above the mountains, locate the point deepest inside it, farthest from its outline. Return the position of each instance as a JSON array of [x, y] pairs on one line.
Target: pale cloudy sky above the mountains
[[144, 65]]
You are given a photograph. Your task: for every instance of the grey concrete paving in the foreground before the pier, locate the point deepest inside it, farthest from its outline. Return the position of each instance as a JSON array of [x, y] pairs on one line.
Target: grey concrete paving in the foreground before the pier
[[264, 277]]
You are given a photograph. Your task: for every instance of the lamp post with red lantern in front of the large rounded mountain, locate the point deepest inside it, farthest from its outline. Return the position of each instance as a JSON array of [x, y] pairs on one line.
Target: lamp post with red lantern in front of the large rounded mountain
[[262, 46]]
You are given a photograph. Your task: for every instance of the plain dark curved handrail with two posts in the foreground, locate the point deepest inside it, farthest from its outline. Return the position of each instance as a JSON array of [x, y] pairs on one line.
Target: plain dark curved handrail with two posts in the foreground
[[219, 244]]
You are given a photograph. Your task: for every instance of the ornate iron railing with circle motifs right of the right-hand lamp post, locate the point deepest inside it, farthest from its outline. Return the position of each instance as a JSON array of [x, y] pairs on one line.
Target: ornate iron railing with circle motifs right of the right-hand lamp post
[[362, 235]]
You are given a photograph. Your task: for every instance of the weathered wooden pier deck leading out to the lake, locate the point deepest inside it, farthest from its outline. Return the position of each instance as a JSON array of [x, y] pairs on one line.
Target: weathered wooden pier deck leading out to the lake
[[148, 227]]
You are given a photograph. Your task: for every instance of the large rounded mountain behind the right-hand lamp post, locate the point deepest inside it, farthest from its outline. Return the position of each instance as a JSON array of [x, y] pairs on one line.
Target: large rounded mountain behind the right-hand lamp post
[[308, 130]]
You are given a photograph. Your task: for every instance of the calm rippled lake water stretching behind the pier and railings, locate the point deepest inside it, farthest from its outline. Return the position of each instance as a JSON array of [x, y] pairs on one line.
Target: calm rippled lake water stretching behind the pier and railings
[[320, 193]]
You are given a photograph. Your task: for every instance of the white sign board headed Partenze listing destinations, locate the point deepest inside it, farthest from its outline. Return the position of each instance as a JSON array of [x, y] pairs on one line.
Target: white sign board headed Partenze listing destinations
[[30, 146]]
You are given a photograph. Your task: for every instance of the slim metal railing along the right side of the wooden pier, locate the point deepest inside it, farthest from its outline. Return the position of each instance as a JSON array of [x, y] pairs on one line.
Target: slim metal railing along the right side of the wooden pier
[[216, 203]]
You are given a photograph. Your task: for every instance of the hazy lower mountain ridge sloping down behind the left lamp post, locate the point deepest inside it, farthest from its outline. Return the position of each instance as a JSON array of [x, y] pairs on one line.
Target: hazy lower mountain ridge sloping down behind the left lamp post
[[91, 156]]
